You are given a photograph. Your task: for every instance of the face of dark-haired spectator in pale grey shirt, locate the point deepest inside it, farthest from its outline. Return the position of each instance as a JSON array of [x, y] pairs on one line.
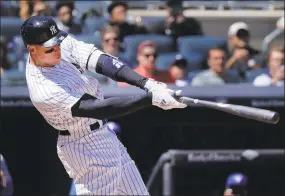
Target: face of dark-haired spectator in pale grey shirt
[[216, 60]]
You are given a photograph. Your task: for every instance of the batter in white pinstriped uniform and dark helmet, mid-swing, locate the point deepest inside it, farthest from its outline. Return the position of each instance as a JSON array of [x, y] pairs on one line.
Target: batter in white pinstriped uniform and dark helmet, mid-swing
[[73, 103]]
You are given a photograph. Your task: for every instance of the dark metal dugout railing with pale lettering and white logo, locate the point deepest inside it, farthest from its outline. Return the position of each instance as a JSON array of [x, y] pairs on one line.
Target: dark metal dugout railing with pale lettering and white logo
[[173, 157]]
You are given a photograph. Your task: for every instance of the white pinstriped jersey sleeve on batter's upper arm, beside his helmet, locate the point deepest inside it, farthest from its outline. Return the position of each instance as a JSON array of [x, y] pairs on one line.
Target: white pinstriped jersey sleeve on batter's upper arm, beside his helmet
[[79, 52]]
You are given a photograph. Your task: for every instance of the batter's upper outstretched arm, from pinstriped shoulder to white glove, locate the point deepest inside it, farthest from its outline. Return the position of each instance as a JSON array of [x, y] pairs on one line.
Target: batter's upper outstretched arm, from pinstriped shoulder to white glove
[[90, 58]]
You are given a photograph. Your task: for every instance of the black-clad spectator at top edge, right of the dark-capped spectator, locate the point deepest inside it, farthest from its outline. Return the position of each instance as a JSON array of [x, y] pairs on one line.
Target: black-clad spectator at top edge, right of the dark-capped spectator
[[177, 24]]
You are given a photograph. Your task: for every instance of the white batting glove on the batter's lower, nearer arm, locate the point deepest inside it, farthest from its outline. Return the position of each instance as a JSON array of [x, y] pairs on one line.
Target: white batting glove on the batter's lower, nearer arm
[[163, 98]]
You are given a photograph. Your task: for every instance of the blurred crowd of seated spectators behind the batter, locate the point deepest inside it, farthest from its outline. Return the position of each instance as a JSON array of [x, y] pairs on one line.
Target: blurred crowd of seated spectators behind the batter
[[233, 61]]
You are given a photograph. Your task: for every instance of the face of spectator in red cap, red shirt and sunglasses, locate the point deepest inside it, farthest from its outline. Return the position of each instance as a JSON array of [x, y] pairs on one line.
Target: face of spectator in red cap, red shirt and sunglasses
[[147, 57]]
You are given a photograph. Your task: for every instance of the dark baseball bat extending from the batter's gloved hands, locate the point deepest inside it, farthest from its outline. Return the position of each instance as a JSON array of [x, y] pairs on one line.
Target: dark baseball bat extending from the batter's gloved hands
[[243, 111]]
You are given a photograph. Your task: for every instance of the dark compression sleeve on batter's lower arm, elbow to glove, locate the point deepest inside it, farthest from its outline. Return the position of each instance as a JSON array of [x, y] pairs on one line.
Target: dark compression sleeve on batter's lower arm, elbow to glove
[[90, 107]]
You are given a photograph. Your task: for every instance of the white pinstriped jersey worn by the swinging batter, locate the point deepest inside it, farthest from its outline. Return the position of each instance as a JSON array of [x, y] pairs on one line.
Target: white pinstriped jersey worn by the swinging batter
[[53, 90]]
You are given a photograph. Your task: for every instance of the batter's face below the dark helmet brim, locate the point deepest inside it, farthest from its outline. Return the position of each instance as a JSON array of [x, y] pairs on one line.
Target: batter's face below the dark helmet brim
[[46, 56]]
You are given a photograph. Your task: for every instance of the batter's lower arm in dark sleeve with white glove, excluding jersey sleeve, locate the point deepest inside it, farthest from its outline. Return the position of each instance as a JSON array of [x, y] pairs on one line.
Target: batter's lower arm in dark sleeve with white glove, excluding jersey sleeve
[[89, 106]]
